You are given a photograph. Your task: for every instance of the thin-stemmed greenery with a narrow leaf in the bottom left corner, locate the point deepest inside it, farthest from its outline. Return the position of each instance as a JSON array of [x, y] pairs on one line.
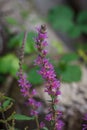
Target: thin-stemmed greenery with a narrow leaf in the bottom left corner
[[6, 104]]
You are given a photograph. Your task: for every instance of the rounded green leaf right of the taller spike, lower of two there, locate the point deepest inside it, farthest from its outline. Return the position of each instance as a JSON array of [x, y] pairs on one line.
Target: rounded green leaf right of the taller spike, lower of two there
[[72, 73]]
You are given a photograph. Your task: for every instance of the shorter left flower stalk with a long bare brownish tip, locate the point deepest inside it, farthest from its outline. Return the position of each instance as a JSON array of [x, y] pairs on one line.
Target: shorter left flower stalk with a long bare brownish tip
[[26, 87]]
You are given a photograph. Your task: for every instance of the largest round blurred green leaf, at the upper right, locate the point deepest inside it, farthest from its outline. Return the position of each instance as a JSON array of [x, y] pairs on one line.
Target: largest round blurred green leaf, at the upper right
[[61, 18]]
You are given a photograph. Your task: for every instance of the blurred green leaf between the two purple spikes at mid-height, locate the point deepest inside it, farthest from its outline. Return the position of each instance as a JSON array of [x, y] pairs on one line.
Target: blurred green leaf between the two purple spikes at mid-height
[[34, 77]]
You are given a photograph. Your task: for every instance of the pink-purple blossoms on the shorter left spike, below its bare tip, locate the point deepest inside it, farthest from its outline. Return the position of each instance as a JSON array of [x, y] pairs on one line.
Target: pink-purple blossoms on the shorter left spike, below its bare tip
[[29, 93]]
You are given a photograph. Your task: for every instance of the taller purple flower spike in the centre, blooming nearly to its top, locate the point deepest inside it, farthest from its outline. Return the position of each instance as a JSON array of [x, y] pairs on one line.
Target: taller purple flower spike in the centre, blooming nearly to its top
[[52, 85]]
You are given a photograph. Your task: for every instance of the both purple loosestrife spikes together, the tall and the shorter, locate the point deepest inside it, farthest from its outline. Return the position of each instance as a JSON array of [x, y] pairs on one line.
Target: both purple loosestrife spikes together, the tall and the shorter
[[52, 85]]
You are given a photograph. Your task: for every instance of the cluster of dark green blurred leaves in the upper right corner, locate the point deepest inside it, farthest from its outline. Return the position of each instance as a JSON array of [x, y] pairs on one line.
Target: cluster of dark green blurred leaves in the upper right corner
[[61, 18]]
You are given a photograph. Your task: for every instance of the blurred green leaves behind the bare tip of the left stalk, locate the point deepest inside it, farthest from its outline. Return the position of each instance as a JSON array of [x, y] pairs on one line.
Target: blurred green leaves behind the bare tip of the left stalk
[[17, 41]]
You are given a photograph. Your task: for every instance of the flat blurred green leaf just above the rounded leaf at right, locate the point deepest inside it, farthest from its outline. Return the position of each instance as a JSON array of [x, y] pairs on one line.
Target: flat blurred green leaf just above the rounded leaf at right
[[69, 57]]
